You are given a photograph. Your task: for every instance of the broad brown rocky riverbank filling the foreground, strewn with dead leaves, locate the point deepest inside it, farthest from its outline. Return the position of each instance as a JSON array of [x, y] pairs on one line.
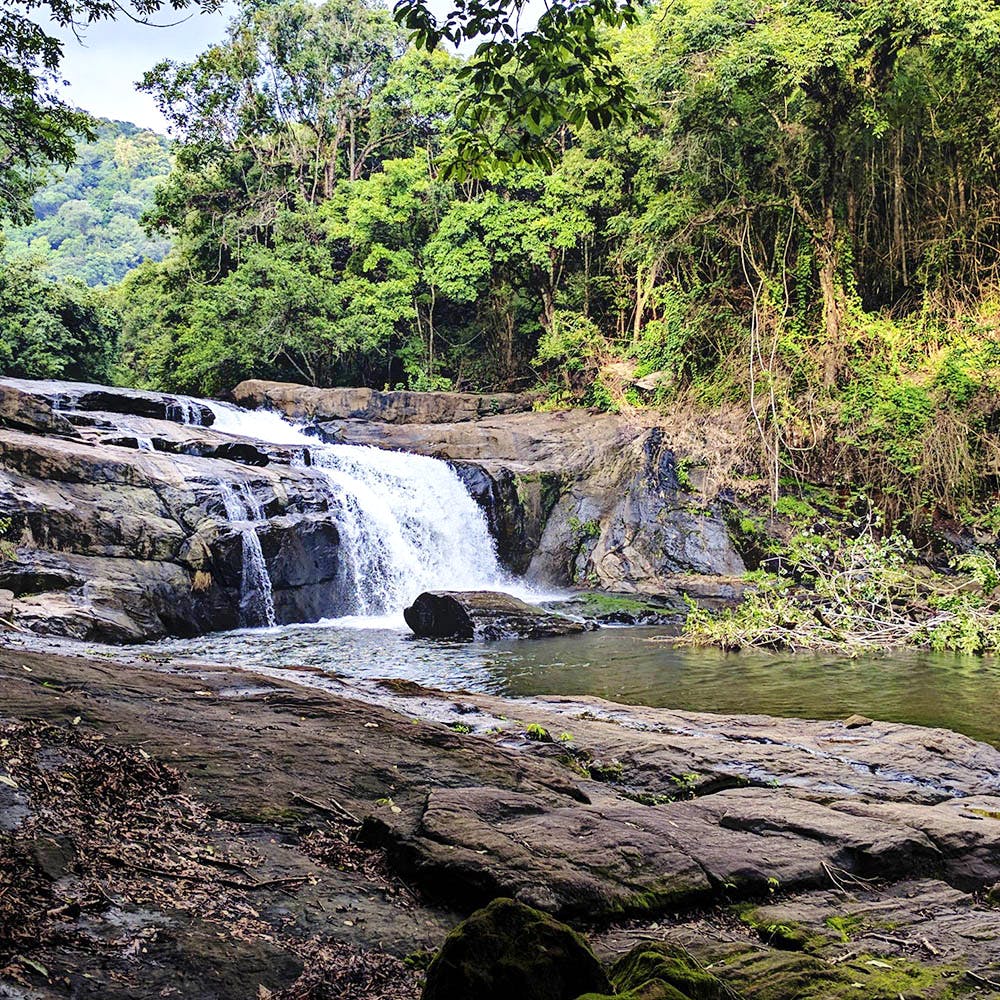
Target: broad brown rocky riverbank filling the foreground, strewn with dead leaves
[[204, 832]]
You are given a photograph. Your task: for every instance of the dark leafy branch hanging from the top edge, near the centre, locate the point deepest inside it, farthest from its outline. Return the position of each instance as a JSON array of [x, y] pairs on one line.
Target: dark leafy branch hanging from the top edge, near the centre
[[525, 80]]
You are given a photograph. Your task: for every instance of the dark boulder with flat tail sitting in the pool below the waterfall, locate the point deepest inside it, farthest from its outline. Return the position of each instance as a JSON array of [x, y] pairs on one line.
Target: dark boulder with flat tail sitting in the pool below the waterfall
[[483, 614]]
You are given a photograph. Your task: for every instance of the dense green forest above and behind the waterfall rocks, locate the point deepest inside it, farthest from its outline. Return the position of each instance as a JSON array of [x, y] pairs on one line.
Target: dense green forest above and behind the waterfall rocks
[[793, 236]]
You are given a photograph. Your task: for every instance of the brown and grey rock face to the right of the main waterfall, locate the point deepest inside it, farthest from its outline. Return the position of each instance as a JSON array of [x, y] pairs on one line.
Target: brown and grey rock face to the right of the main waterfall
[[574, 497]]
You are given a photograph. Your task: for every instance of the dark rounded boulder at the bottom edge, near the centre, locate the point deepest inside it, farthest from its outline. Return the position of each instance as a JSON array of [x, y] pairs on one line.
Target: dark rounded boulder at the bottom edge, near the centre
[[509, 950]]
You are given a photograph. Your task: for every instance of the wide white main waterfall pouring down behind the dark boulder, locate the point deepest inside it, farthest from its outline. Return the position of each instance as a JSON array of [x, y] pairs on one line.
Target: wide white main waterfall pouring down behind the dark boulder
[[406, 522]]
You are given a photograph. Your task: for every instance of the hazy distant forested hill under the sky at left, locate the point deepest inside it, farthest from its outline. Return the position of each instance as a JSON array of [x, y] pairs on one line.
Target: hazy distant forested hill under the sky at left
[[87, 217]]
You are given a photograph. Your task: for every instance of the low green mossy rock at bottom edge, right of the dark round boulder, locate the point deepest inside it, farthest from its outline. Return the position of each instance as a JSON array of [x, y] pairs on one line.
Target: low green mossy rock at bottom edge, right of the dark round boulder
[[662, 972]]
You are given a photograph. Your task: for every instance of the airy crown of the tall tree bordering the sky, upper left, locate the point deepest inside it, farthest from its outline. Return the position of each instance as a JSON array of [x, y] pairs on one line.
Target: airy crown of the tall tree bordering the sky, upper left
[[292, 89]]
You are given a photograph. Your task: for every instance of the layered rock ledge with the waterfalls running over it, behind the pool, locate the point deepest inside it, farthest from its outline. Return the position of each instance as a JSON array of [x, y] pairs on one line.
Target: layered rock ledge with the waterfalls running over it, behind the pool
[[136, 514]]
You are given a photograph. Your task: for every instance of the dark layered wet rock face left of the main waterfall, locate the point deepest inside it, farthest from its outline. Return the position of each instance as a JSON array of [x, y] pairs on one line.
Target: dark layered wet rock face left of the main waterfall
[[116, 541]]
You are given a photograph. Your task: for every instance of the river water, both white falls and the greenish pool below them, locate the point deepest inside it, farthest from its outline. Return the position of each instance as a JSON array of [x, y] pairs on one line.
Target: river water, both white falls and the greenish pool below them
[[407, 524]]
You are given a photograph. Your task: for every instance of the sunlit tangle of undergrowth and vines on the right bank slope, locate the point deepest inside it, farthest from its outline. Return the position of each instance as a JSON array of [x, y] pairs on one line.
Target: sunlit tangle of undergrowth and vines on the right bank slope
[[913, 416]]
